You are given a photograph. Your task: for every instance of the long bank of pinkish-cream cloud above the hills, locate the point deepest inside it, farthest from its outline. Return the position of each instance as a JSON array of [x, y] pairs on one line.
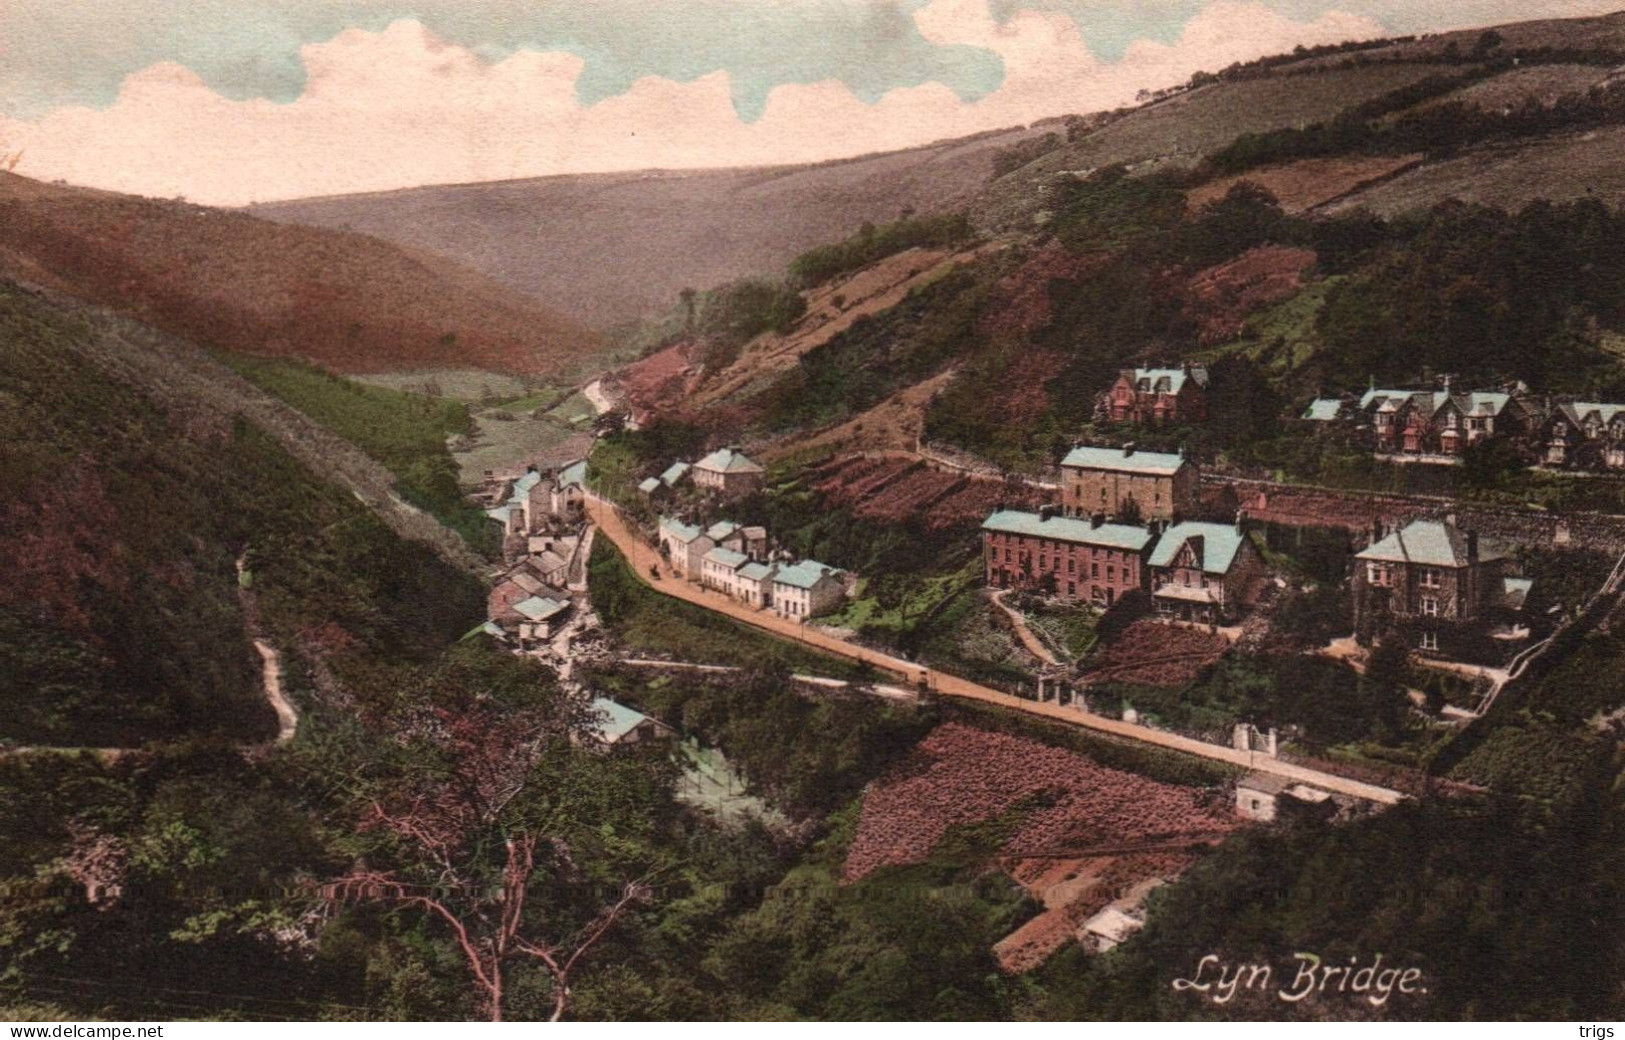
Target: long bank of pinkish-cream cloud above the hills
[[402, 108]]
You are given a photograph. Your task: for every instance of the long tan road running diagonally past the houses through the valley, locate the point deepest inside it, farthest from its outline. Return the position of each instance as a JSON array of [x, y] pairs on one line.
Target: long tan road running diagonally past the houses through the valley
[[643, 557]]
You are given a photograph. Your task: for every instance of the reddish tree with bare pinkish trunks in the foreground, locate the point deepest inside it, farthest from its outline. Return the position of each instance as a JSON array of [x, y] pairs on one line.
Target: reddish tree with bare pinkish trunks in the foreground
[[472, 839]]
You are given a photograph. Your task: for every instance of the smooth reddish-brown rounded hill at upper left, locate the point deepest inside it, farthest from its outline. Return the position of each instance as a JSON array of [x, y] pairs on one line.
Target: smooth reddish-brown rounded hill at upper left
[[345, 301]]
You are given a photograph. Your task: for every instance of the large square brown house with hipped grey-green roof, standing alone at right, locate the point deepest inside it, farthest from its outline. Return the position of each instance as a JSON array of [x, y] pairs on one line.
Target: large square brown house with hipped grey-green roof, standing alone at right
[[1432, 574]]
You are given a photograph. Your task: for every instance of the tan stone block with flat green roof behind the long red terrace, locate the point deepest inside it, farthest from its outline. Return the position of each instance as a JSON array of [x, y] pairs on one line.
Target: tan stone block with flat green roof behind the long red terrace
[[1125, 482]]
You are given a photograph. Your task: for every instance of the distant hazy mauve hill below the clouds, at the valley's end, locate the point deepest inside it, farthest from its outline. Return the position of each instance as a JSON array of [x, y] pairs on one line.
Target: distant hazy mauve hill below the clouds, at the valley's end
[[615, 248]]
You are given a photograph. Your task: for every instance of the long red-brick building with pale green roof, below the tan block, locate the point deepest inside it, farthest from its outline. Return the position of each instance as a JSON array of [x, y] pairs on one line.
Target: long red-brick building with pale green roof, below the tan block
[[1080, 561]]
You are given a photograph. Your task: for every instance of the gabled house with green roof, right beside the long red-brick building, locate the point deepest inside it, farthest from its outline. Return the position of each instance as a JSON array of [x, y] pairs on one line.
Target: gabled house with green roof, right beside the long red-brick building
[[1205, 573]]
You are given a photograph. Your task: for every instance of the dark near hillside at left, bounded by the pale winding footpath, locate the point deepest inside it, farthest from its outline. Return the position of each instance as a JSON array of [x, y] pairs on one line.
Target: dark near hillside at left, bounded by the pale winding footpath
[[128, 496]]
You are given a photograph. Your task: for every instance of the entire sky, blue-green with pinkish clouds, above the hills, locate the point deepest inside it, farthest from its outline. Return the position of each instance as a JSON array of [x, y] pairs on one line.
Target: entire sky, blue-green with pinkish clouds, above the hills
[[228, 102]]
